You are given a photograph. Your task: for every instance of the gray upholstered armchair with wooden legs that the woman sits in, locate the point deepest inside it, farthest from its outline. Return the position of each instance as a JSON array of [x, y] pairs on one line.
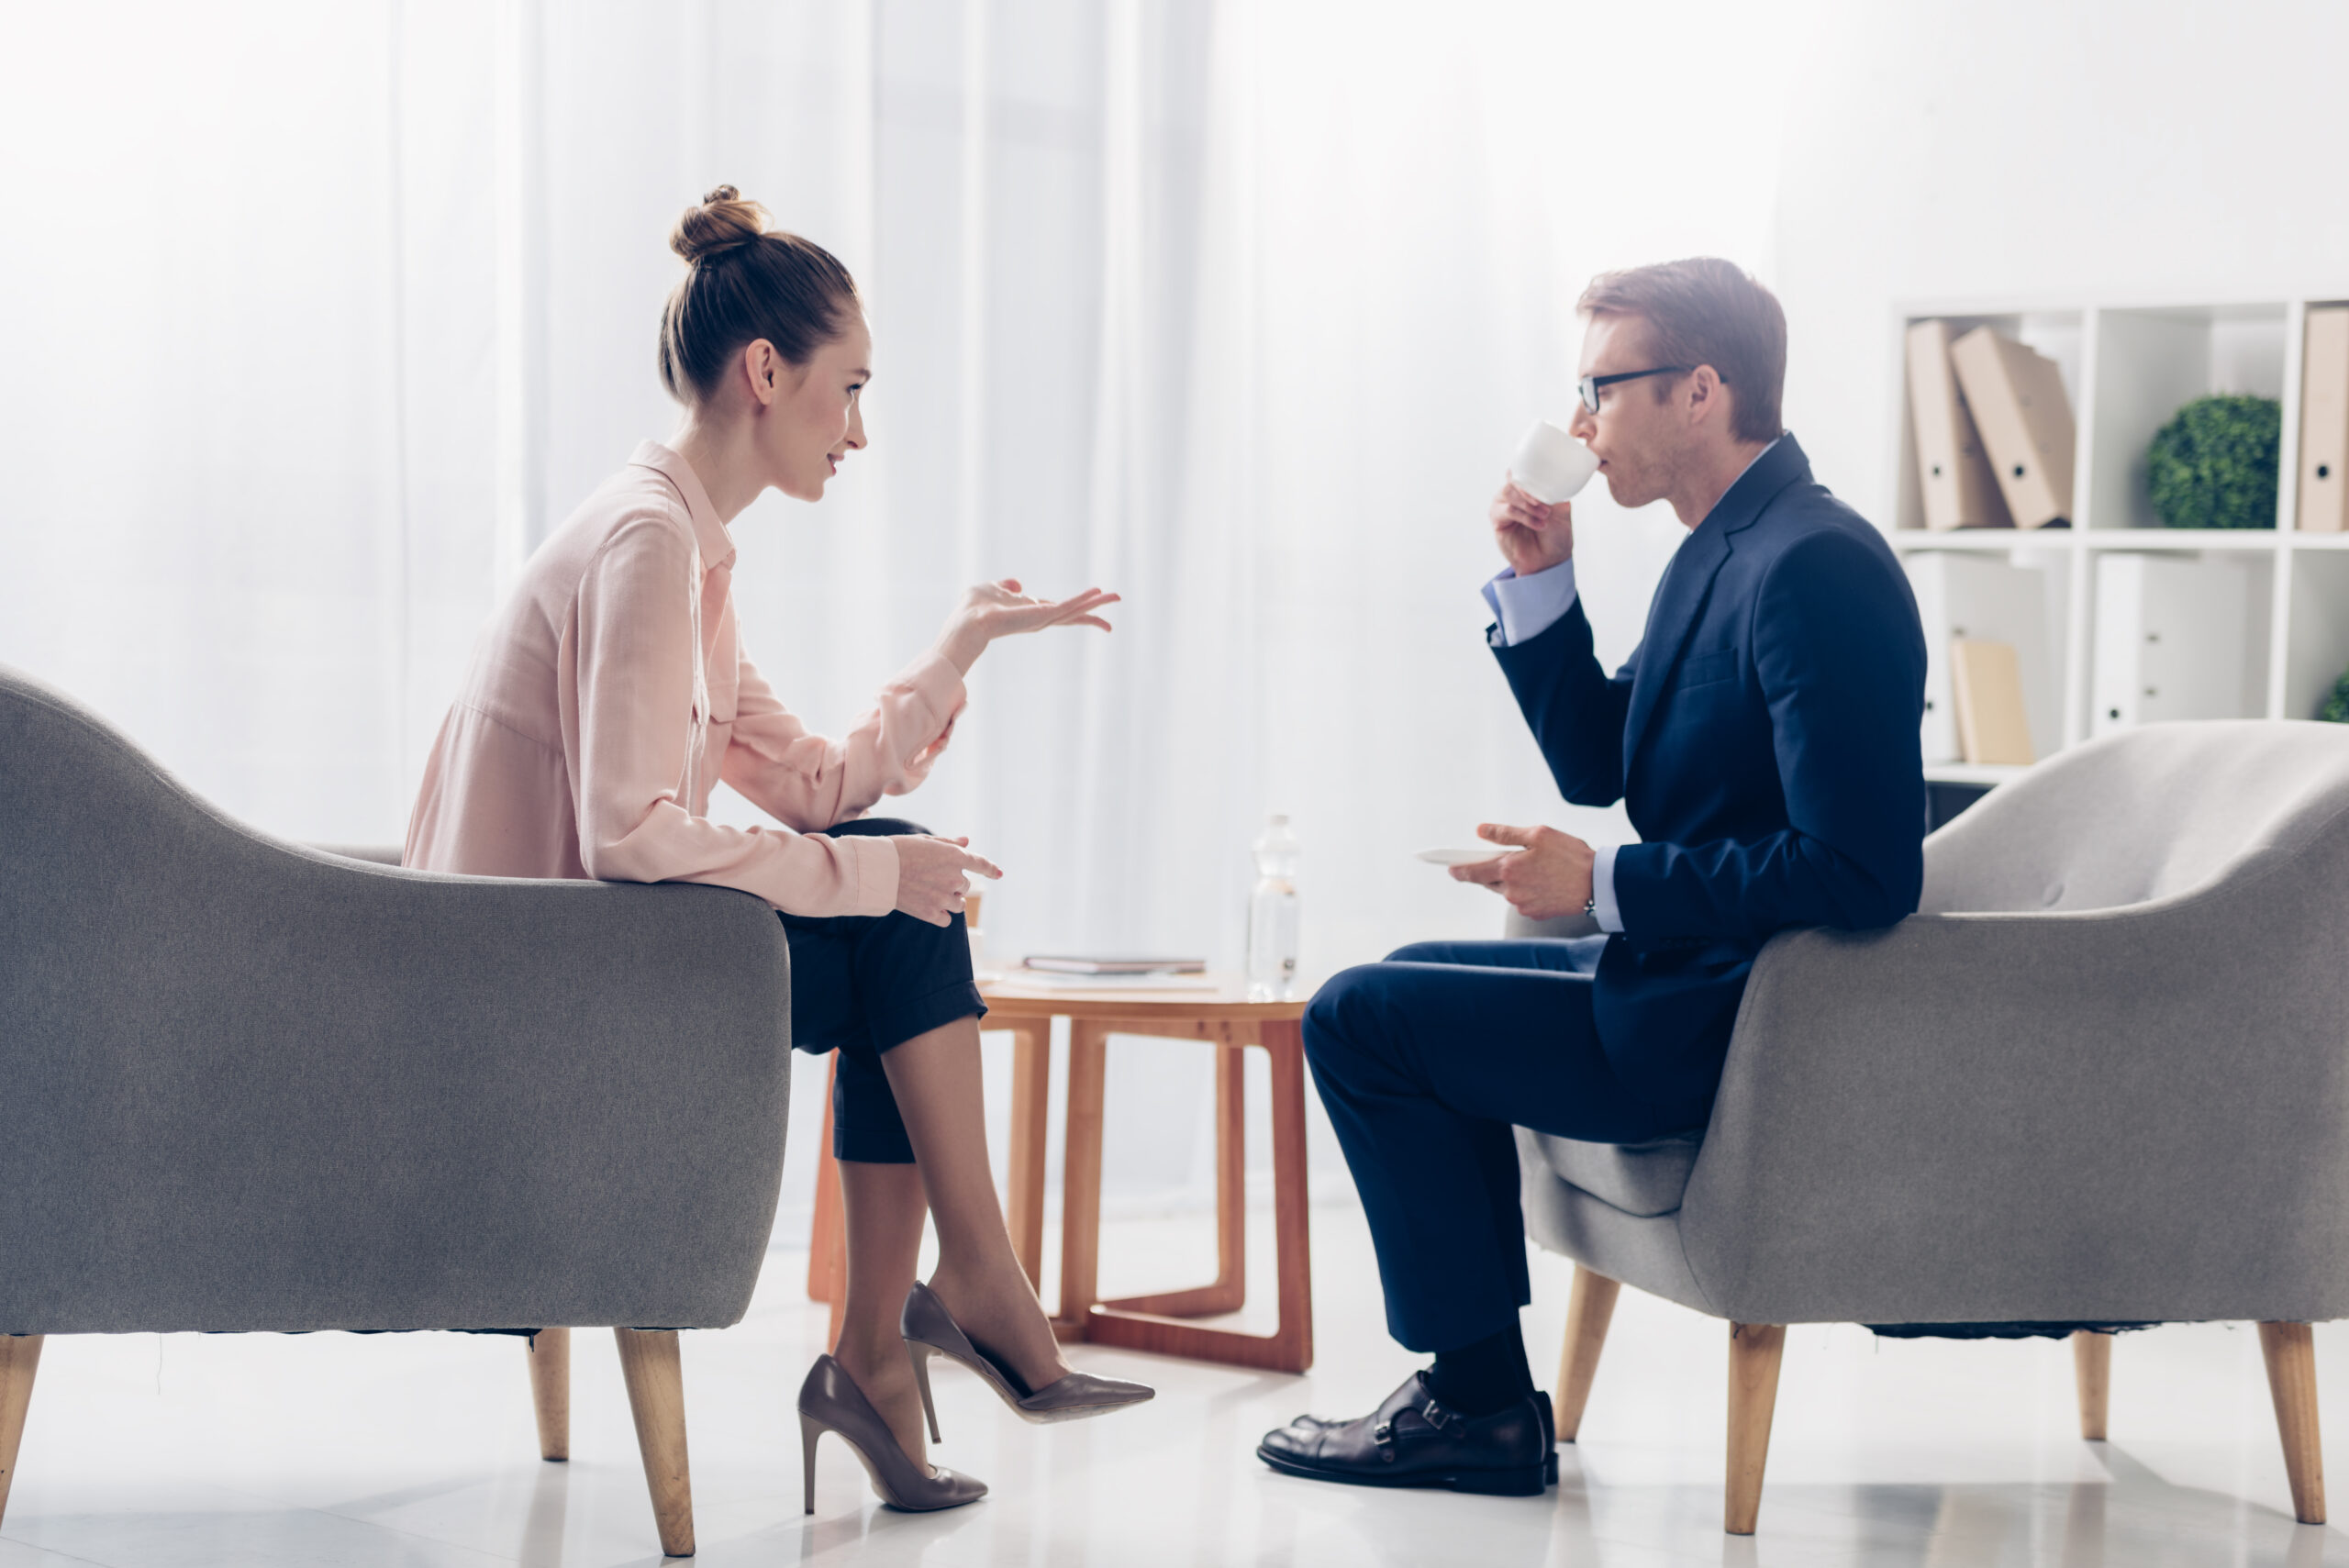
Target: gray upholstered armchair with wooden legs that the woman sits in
[[255, 1086]]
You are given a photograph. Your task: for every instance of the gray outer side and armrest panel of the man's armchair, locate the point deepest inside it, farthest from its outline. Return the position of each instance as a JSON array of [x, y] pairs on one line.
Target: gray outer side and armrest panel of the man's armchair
[[2096, 1116]]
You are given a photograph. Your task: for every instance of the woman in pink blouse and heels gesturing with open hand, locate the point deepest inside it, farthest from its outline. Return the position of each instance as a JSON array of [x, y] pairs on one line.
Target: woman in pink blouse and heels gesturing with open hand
[[610, 698]]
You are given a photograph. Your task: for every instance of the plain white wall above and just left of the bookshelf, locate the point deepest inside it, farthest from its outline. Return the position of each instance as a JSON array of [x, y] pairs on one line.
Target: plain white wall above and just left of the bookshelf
[[2082, 151]]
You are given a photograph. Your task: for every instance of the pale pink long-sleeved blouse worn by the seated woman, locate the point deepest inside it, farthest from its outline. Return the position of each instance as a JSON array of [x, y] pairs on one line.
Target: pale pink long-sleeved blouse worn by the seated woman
[[610, 696]]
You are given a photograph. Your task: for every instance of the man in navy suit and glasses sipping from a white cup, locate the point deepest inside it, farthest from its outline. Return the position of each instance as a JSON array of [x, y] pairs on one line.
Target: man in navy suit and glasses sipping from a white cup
[[1765, 741]]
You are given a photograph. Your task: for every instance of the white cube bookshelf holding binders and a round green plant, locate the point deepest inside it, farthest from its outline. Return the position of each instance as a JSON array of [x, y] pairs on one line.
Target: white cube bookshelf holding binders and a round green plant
[[2129, 367]]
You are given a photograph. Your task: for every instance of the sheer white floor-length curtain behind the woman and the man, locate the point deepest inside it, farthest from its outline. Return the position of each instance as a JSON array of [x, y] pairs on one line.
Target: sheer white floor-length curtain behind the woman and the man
[[314, 320]]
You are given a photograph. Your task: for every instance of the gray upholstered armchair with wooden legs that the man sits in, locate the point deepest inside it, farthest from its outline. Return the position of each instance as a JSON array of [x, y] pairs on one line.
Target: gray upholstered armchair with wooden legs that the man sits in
[[2101, 1079]]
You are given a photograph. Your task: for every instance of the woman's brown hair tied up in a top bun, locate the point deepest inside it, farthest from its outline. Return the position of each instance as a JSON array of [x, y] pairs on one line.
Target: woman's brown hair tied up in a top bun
[[746, 283]]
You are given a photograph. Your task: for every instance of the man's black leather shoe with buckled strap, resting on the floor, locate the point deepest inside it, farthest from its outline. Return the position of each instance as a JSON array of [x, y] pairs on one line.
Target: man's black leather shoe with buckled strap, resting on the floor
[[1413, 1440]]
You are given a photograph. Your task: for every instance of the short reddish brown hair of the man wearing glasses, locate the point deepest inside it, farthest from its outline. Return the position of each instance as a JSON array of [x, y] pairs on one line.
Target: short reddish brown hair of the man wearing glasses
[[1707, 311]]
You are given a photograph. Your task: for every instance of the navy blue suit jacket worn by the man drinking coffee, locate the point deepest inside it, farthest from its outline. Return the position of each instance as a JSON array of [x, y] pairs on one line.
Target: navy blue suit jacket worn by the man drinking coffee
[[1765, 738]]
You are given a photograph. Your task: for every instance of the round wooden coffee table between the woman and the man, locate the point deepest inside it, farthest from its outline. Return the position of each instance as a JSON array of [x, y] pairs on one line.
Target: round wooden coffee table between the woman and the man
[[1220, 1015]]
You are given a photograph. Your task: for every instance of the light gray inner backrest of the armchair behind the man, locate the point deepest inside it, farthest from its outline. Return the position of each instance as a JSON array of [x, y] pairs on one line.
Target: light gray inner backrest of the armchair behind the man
[[2148, 816]]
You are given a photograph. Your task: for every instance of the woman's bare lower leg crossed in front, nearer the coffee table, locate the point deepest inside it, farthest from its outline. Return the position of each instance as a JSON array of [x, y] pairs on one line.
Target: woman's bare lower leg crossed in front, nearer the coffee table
[[936, 1081]]
